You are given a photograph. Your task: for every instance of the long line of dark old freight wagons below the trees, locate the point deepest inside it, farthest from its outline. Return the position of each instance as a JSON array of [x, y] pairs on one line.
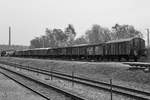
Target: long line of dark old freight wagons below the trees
[[131, 48]]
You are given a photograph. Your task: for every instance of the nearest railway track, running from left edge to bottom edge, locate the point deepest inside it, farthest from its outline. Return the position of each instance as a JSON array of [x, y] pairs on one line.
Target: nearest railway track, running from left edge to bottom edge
[[14, 75]]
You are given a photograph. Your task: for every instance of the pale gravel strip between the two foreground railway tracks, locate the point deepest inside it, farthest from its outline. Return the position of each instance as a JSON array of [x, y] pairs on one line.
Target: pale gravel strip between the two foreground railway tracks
[[91, 93]]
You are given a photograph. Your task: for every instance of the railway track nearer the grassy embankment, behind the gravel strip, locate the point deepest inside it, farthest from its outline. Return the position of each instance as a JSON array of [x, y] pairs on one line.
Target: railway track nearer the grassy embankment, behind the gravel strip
[[133, 93]]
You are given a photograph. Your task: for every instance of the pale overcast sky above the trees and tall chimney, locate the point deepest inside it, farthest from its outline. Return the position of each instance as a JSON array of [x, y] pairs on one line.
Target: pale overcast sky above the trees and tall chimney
[[29, 18]]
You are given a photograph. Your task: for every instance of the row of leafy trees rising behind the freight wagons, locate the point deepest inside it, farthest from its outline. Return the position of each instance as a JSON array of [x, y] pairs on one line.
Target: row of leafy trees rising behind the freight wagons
[[97, 34]]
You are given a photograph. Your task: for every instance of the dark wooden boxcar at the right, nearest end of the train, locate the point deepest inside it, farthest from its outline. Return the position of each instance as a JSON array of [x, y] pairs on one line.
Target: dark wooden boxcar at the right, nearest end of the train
[[125, 48]]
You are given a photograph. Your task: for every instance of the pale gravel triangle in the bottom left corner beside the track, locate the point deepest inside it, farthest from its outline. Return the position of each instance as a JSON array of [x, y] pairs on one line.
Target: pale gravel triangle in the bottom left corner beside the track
[[10, 90]]
